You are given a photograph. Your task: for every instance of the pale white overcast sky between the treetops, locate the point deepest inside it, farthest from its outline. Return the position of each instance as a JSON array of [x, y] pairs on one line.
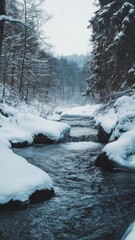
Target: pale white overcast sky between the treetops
[[67, 30]]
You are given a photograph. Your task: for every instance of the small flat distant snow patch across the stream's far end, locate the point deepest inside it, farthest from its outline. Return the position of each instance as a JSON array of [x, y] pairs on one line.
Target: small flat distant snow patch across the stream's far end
[[80, 112]]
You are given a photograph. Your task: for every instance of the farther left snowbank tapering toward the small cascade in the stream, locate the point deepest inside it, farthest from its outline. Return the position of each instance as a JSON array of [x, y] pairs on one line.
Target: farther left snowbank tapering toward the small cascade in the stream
[[25, 127]]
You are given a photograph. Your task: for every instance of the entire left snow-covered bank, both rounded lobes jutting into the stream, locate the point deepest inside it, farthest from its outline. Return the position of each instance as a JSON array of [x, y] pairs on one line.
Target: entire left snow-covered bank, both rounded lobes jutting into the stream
[[20, 181]]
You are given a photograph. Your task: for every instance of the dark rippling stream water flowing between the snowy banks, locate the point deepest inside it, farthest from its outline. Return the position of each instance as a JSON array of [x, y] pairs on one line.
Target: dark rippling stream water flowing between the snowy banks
[[89, 204]]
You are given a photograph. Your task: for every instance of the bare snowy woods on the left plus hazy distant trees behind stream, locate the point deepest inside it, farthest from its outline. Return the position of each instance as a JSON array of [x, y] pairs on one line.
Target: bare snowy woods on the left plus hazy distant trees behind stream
[[29, 70]]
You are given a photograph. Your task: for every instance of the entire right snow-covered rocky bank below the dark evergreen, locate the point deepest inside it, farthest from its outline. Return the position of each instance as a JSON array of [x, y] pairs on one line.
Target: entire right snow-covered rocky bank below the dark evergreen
[[120, 123]]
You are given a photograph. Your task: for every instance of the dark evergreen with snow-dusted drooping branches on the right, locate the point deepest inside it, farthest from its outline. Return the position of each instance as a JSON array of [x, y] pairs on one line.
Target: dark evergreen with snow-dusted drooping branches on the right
[[113, 64]]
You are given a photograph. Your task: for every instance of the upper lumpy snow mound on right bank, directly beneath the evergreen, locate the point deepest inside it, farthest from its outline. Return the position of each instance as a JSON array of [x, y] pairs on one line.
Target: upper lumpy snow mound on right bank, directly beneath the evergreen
[[115, 116]]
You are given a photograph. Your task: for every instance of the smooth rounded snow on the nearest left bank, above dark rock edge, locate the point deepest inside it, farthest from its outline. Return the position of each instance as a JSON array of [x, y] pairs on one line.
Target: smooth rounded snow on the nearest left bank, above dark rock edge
[[18, 178]]
